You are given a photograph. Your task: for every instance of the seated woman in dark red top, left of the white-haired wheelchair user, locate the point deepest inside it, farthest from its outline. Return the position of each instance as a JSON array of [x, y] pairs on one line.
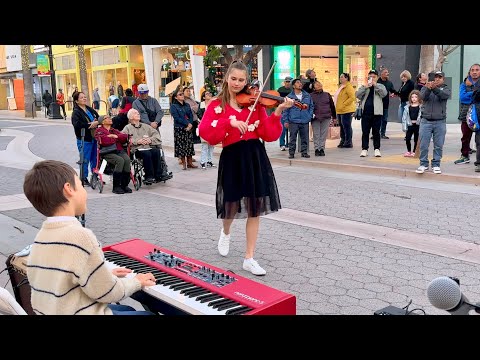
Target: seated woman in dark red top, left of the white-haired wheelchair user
[[110, 141]]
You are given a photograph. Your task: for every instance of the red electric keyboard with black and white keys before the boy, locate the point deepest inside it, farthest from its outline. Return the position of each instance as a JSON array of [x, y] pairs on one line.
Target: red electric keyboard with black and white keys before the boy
[[189, 286]]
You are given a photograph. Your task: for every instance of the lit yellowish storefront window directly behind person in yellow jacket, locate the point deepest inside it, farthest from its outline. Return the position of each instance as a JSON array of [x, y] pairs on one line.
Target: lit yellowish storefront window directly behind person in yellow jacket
[[357, 61]]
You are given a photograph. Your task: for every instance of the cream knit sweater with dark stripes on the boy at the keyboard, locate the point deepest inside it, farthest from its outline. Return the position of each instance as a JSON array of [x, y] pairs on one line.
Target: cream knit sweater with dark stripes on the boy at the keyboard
[[68, 275]]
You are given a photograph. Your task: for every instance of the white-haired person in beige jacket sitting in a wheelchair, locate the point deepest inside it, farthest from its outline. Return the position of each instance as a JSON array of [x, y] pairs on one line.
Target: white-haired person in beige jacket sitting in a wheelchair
[[146, 143]]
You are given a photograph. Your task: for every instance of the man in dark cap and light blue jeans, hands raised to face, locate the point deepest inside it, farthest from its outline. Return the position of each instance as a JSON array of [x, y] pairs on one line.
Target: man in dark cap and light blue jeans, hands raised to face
[[433, 123]]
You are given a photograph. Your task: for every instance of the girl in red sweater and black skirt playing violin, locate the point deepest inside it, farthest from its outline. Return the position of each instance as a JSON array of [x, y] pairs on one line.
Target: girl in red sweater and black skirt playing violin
[[246, 186]]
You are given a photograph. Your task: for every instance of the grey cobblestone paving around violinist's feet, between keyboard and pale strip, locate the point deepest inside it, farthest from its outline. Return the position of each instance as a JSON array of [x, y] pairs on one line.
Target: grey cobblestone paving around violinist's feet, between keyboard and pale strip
[[329, 273]]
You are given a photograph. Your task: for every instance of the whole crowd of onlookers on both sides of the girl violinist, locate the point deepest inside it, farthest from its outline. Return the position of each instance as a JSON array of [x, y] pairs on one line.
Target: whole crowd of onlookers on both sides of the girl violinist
[[422, 111]]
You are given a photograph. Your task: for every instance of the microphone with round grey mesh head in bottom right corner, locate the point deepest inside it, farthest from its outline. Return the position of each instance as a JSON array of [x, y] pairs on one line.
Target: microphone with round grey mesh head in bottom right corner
[[444, 293]]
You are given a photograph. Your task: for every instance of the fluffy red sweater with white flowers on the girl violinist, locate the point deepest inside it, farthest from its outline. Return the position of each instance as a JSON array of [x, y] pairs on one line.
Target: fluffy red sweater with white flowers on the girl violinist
[[215, 125]]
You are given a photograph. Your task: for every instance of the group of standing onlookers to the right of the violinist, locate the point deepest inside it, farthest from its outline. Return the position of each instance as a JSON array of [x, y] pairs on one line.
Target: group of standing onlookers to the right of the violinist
[[422, 112]]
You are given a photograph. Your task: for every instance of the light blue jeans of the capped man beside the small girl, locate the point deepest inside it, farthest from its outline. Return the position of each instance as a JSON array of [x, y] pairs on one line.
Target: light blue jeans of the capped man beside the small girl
[[437, 129]]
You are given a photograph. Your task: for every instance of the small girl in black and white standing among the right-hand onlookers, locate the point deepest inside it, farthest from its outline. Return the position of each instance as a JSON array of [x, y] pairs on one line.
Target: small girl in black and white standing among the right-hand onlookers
[[411, 121]]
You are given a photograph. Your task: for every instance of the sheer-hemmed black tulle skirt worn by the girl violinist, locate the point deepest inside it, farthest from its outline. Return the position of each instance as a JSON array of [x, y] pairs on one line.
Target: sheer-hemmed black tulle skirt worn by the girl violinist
[[246, 185]]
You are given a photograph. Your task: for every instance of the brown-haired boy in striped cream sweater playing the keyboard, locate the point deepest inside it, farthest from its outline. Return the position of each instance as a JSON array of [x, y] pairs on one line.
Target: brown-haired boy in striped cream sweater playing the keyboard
[[66, 267]]
